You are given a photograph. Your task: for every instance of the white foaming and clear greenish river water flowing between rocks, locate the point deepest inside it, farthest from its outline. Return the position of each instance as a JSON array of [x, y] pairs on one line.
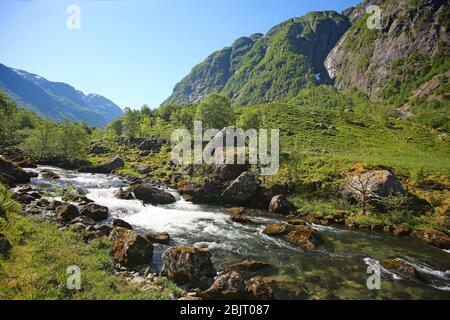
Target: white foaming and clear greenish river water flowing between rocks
[[337, 270]]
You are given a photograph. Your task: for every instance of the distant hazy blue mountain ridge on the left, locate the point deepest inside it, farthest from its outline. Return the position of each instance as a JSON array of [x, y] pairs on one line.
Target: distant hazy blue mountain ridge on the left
[[56, 100]]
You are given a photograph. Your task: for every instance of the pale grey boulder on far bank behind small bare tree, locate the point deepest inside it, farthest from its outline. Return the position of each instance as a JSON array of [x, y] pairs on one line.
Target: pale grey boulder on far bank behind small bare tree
[[373, 184]]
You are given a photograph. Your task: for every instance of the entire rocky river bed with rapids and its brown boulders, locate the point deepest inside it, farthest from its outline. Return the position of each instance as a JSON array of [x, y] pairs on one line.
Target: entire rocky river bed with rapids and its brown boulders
[[214, 252]]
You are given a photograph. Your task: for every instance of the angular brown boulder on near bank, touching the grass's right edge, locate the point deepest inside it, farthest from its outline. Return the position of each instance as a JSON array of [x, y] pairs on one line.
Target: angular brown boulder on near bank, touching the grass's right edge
[[130, 249]]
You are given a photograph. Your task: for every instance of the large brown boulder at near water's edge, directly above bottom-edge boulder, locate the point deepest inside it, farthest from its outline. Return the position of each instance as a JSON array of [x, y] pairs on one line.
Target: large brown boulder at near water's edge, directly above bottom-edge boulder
[[188, 266]]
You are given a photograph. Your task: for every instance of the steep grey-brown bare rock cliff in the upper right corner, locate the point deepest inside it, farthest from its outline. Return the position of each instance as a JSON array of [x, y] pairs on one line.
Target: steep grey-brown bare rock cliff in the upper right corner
[[367, 59]]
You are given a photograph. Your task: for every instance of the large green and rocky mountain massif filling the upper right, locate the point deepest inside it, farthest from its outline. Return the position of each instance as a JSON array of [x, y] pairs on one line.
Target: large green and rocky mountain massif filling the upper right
[[327, 47]]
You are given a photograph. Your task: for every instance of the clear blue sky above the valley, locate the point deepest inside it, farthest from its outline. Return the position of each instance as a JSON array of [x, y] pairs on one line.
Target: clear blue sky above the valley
[[133, 52]]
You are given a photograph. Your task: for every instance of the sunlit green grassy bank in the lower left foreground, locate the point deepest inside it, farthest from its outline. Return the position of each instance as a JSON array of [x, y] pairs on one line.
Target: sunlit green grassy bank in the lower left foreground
[[41, 255]]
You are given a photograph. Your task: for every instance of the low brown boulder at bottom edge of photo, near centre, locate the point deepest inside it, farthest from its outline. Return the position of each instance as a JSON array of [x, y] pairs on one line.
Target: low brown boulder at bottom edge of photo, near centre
[[229, 286]]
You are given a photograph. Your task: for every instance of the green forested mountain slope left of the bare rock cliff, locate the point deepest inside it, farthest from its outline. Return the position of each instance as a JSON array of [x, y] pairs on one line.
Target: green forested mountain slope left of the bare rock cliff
[[275, 66]]
